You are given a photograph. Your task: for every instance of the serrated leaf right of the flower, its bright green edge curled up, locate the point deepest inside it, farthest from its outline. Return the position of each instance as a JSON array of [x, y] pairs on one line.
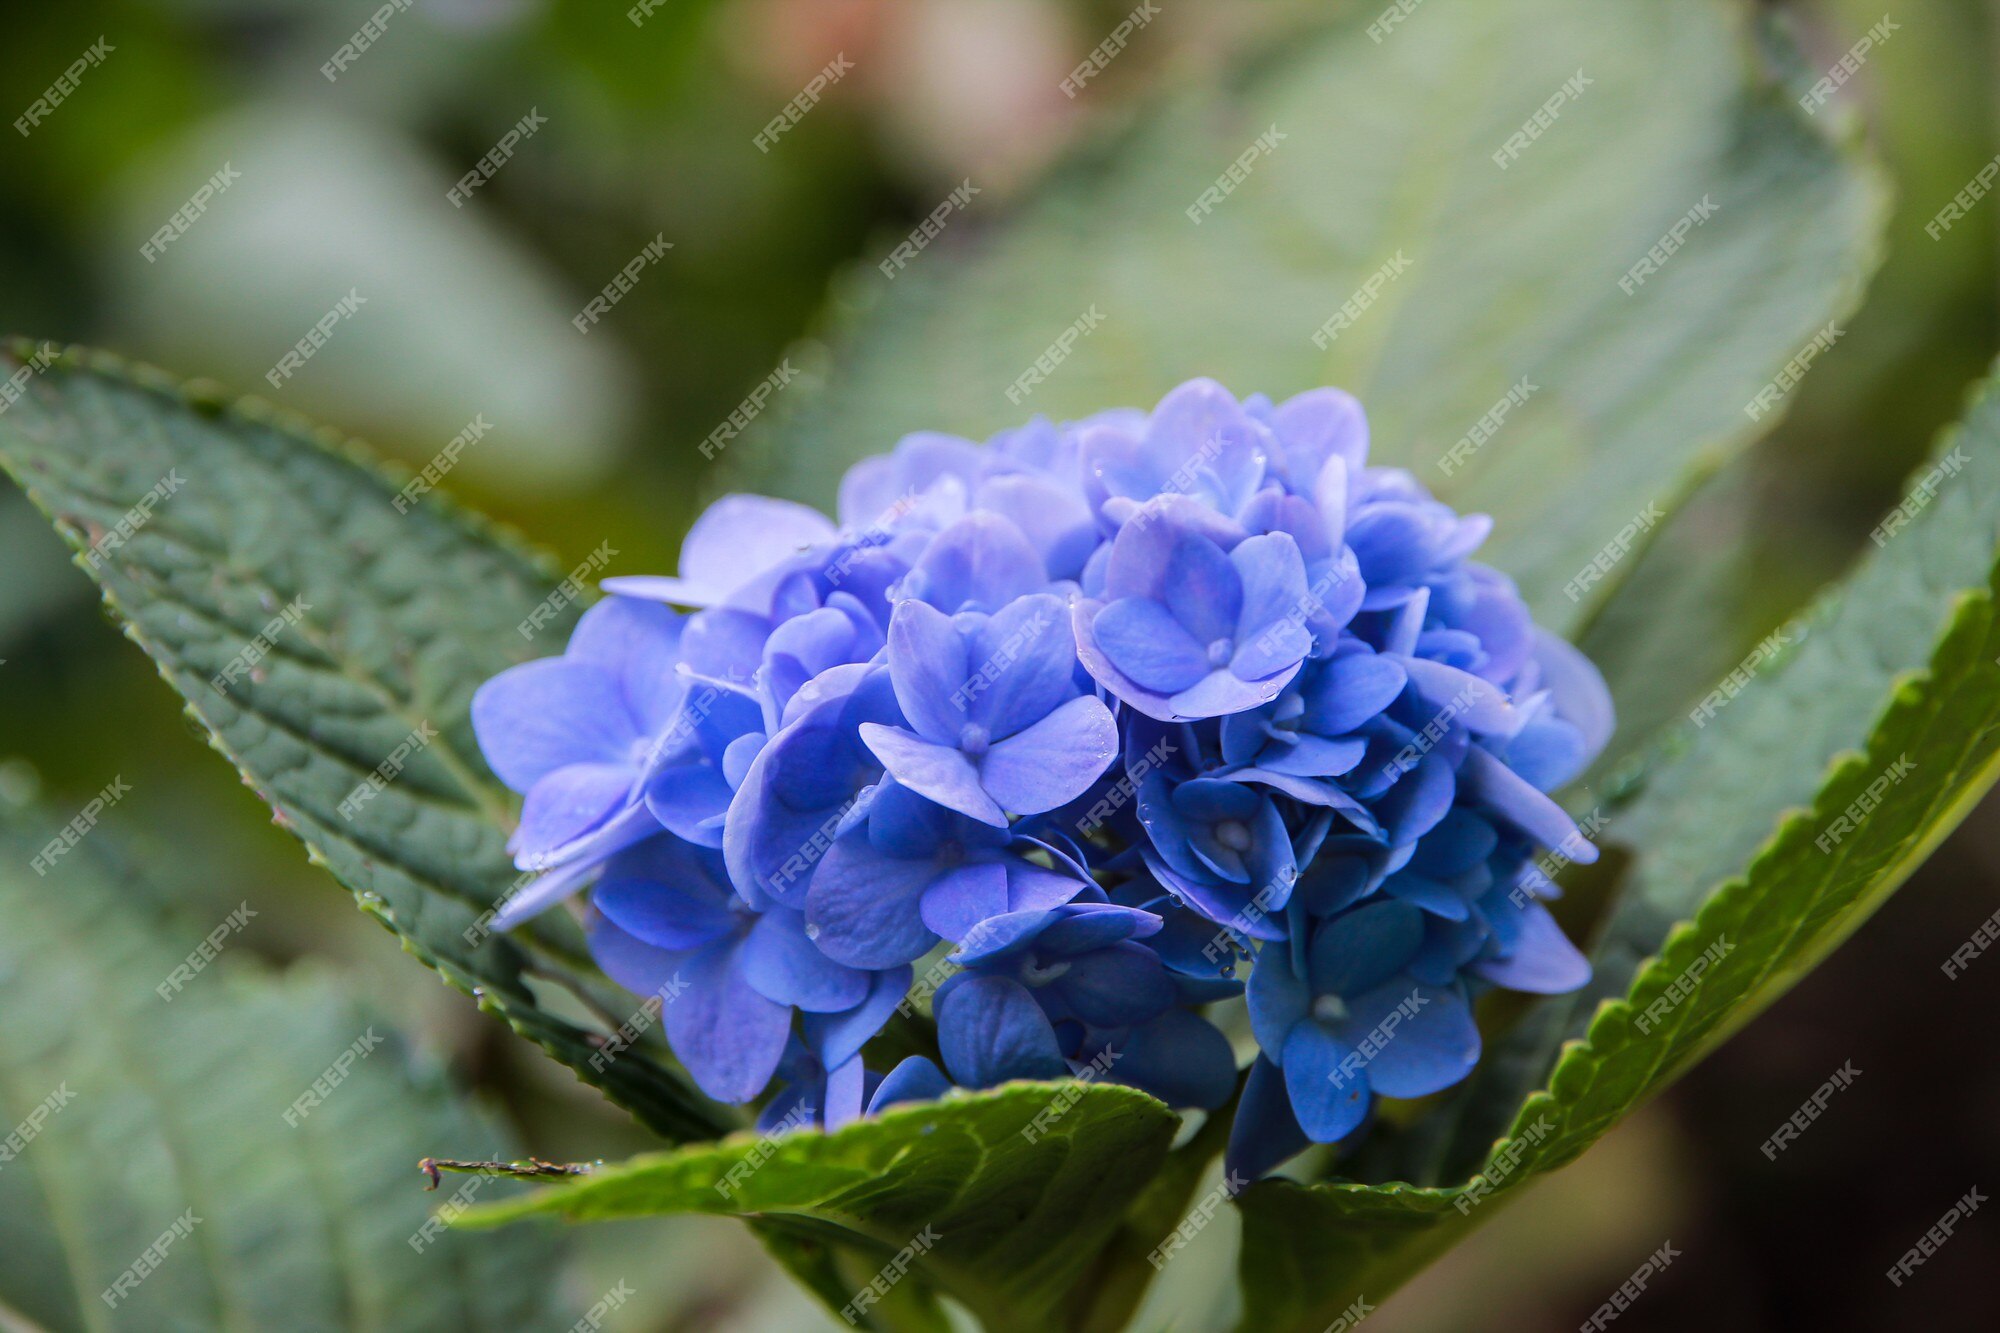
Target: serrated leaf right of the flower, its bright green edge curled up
[[1887, 716]]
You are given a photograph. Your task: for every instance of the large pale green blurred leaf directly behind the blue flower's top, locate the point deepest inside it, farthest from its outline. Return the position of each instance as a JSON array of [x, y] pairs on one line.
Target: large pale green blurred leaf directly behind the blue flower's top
[[1389, 149]]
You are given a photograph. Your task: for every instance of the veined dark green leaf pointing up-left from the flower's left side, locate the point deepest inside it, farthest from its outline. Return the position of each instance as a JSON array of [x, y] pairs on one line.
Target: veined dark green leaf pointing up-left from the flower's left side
[[213, 527]]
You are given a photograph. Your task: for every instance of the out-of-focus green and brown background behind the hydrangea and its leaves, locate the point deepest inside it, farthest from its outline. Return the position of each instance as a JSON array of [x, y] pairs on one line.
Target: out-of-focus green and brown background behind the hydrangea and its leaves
[[597, 439]]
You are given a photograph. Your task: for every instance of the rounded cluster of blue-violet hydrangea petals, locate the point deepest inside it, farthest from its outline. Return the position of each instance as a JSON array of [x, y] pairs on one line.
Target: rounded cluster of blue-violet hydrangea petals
[[1119, 720]]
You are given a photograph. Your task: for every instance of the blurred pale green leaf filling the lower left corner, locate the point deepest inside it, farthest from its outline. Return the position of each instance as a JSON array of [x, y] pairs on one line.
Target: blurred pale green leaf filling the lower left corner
[[137, 1108]]
